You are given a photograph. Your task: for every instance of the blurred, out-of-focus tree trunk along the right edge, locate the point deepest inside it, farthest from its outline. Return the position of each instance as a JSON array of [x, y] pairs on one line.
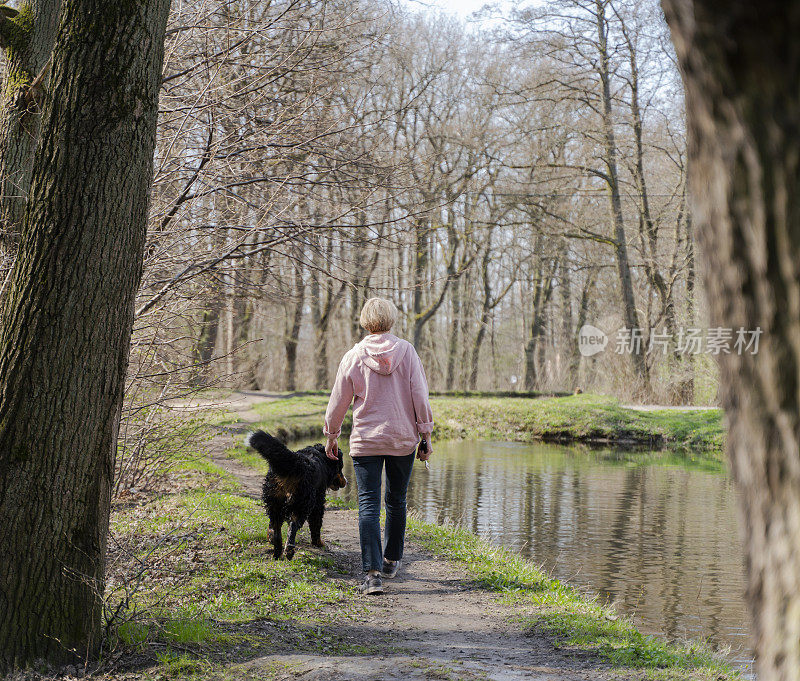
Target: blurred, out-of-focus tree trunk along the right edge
[[740, 68]]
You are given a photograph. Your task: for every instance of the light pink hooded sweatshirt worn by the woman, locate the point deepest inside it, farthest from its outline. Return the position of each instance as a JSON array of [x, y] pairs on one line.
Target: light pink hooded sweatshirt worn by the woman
[[383, 377]]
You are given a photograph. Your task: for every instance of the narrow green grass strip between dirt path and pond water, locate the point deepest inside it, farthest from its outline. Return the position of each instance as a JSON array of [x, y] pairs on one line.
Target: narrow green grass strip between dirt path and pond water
[[568, 617]]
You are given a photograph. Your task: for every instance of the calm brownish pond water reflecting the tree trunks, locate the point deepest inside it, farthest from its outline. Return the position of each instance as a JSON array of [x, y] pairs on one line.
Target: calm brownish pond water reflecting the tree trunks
[[654, 533]]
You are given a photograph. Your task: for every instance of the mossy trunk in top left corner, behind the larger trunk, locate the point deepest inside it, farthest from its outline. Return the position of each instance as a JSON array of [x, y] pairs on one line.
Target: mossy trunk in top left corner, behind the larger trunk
[[27, 37]]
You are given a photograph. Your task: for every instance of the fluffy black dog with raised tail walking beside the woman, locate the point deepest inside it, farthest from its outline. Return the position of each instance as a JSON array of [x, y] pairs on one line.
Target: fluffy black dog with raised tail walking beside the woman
[[294, 488]]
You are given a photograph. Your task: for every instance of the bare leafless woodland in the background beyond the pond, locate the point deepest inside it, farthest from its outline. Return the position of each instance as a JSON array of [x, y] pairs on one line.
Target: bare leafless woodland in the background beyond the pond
[[505, 181]]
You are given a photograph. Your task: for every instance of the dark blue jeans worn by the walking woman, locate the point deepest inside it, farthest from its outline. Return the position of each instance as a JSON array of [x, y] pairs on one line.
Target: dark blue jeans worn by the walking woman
[[368, 476]]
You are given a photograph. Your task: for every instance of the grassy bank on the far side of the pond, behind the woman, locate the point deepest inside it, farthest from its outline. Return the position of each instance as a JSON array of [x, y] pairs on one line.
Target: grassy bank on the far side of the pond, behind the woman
[[593, 419]]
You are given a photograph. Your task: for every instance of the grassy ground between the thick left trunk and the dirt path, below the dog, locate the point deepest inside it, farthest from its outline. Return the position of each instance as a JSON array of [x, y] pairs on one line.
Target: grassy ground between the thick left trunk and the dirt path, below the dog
[[192, 588]]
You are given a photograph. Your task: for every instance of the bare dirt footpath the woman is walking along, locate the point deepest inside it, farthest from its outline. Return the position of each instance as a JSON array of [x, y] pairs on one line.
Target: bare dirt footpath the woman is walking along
[[432, 623]]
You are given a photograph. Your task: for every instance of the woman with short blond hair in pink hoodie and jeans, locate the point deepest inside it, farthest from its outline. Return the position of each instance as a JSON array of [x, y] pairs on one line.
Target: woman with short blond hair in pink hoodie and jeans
[[383, 378]]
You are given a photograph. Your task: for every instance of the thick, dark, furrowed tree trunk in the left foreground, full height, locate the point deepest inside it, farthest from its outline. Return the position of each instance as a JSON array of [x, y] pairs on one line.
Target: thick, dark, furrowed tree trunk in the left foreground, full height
[[66, 325]]
